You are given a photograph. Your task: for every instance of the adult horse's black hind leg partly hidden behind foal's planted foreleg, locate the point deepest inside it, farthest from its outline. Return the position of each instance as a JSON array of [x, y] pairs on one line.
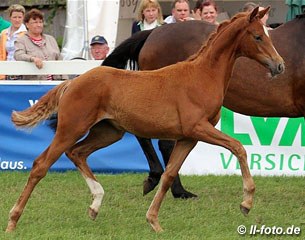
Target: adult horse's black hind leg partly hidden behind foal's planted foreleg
[[166, 147]]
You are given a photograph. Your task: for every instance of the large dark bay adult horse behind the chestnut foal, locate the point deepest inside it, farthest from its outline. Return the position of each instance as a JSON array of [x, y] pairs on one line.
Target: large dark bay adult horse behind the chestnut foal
[[250, 92]]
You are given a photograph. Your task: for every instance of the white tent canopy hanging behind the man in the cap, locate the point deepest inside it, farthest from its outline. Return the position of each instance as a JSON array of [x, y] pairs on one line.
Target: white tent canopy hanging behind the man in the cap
[[85, 19]]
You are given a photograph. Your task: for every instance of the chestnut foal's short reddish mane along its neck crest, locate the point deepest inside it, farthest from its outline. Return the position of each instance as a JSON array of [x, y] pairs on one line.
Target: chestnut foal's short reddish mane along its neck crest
[[213, 35]]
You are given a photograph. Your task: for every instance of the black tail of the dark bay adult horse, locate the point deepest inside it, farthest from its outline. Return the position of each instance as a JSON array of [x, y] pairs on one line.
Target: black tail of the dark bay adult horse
[[127, 50]]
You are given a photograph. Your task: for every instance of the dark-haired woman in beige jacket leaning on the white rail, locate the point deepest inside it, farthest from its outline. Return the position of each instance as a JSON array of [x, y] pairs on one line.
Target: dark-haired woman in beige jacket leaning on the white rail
[[35, 46]]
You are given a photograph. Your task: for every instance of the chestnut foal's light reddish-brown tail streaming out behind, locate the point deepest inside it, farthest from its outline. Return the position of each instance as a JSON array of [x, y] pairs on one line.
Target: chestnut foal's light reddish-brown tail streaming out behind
[[42, 110]]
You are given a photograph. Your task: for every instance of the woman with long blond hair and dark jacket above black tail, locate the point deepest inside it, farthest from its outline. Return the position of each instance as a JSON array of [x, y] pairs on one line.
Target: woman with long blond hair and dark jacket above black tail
[[149, 16]]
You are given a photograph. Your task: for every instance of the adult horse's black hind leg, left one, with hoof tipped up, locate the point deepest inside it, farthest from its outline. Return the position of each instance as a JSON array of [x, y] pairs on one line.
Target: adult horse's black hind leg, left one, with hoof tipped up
[[155, 167]]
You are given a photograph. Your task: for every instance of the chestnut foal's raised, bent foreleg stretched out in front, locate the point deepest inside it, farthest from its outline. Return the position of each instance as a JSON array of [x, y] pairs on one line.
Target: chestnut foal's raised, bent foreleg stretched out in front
[[207, 133]]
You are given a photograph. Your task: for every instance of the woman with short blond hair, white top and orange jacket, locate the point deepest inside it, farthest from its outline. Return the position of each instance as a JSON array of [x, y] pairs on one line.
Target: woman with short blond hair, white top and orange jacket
[[9, 36]]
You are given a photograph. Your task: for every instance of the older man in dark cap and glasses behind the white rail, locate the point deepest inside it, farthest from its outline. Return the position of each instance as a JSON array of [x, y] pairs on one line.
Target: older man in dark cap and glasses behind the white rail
[[99, 48]]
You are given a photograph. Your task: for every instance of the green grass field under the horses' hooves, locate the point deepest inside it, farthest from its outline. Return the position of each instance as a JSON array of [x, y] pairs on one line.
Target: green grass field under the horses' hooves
[[58, 208]]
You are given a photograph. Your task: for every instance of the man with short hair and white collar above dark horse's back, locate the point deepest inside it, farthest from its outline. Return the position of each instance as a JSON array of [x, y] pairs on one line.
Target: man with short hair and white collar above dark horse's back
[[180, 12]]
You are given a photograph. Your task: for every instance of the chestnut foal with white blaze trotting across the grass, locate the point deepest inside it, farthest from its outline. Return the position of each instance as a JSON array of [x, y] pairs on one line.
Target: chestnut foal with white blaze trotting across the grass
[[180, 102]]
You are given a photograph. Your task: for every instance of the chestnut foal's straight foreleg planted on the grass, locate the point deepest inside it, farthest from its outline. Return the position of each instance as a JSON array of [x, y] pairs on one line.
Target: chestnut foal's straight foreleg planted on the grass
[[180, 152]]
